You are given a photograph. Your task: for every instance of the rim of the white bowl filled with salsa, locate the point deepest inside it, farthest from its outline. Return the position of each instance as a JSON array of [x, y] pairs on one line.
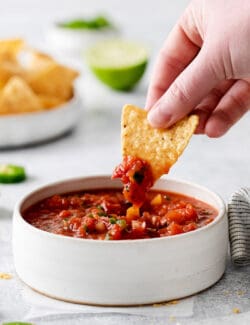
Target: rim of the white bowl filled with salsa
[[17, 211]]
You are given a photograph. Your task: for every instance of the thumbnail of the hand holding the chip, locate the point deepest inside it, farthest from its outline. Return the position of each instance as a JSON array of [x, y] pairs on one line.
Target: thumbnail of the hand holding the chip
[[158, 117]]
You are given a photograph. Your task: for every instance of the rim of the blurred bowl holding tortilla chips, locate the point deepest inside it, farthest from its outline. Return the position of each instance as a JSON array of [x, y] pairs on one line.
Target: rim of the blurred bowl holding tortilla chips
[[64, 105]]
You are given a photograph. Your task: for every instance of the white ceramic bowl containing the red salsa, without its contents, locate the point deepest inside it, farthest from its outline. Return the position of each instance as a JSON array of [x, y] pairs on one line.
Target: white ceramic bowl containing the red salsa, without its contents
[[127, 272]]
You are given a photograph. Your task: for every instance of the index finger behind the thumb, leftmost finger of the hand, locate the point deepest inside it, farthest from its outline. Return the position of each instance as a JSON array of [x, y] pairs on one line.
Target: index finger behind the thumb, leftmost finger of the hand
[[177, 52]]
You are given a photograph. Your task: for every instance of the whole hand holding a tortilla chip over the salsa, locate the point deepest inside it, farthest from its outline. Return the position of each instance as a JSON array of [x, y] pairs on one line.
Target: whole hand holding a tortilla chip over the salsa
[[204, 68]]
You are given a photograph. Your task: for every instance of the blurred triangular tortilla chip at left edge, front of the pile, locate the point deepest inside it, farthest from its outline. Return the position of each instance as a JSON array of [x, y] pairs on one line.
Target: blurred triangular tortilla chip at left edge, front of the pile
[[17, 97]]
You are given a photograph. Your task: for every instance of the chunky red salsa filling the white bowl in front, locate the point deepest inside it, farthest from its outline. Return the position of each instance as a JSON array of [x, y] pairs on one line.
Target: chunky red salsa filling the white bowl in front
[[107, 214]]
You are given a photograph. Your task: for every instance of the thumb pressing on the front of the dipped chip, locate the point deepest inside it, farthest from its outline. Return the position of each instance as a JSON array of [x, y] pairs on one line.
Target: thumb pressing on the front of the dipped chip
[[185, 93]]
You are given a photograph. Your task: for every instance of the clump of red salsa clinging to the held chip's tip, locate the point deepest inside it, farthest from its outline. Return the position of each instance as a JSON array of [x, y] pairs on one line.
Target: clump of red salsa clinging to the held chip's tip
[[137, 179]]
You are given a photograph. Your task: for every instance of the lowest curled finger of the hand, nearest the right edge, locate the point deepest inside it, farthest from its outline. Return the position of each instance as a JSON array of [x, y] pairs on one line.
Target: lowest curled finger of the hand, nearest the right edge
[[230, 109]]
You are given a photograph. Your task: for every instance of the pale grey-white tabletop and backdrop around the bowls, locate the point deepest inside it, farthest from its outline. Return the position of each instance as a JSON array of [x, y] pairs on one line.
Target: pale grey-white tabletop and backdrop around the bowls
[[94, 148]]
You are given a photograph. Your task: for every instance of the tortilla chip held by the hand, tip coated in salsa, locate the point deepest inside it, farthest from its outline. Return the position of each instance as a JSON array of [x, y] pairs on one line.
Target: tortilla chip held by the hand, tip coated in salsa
[[148, 153]]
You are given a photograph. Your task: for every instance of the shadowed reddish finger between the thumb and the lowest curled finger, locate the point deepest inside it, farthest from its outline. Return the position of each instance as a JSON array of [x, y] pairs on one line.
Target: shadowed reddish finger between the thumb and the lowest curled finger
[[209, 103]]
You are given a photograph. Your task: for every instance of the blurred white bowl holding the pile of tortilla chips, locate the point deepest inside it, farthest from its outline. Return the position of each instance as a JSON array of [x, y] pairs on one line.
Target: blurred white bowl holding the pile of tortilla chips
[[30, 128]]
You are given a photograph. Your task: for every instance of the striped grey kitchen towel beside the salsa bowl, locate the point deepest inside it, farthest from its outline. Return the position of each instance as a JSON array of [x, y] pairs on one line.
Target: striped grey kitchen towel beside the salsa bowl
[[239, 226]]
